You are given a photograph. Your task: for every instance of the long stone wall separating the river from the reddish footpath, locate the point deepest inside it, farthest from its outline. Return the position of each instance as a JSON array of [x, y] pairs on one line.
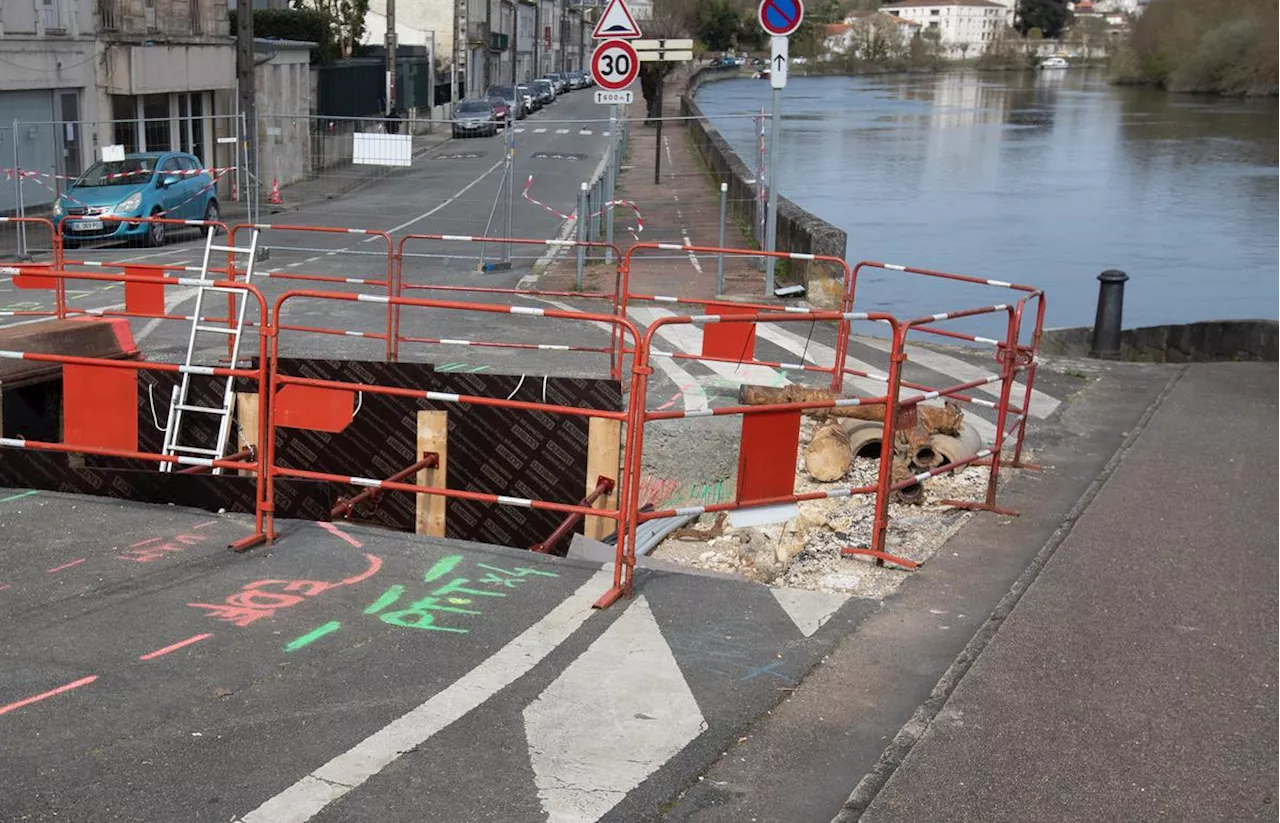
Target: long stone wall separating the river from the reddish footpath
[[798, 230]]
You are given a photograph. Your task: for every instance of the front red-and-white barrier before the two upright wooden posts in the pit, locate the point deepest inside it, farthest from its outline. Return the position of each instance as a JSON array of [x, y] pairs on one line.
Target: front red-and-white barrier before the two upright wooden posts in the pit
[[628, 418]]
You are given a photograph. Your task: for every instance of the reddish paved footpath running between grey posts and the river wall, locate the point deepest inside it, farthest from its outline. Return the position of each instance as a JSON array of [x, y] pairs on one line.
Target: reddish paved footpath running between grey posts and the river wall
[[683, 208]]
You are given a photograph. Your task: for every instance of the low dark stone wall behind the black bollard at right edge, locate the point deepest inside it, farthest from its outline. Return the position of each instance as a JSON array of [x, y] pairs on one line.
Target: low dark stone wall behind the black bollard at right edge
[[1195, 342]]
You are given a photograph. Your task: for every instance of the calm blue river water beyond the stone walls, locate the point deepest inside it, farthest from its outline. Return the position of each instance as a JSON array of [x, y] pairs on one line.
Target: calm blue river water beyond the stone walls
[[1044, 179]]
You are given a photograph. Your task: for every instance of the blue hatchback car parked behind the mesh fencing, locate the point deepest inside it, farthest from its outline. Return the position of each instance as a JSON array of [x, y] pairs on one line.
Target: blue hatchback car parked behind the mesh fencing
[[154, 185]]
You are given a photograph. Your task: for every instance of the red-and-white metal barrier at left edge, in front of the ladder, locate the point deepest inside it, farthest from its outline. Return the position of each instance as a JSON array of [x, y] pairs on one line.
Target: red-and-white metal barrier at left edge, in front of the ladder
[[100, 395]]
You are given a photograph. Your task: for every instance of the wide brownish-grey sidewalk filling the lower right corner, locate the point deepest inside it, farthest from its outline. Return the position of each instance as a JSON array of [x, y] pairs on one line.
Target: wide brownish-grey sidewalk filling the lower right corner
[[1137, 678]]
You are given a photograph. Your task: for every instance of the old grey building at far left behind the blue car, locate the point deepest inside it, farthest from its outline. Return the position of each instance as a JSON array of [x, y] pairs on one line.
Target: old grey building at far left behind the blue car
[[80, 75]]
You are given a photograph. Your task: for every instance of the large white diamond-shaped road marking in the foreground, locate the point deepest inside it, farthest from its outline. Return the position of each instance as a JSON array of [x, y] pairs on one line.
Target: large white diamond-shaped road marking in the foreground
[[629, 684]]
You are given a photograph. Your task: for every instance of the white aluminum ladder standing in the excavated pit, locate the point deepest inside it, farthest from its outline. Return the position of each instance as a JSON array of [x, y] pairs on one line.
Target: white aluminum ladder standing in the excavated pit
[[180, 403]]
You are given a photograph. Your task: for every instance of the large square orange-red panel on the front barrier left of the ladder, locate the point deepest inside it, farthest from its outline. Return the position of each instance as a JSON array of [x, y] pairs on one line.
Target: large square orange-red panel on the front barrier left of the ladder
[[100, 408]]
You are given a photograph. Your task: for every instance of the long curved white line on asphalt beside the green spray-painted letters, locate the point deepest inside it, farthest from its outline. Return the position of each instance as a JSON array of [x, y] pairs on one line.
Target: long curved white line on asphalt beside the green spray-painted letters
[[310, 795]]
